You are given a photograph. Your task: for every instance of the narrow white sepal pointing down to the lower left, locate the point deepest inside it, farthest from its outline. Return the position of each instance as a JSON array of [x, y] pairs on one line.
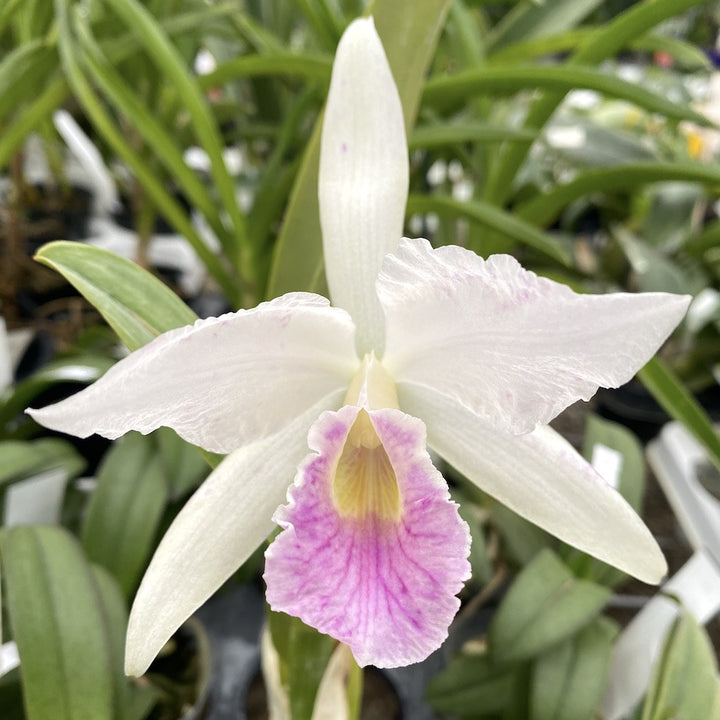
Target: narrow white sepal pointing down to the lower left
[[217, 530]]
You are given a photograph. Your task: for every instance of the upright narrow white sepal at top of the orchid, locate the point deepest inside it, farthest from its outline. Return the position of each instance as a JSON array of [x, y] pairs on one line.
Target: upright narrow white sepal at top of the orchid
[[363, 181]]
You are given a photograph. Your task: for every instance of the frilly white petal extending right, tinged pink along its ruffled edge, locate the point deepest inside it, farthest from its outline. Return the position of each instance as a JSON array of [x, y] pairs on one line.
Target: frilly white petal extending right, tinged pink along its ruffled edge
[[514, 347]]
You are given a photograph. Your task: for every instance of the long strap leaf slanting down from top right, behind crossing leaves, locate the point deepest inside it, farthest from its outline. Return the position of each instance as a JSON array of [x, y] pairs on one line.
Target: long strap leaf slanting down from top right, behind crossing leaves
[[632, 23]]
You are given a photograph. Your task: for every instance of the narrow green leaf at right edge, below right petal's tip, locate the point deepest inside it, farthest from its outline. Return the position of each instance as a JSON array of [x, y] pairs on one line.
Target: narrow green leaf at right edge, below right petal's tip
[[680, 404]]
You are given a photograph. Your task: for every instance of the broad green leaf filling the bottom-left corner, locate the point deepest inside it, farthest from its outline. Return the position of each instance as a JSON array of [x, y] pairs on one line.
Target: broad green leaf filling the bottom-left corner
[[58, 625]]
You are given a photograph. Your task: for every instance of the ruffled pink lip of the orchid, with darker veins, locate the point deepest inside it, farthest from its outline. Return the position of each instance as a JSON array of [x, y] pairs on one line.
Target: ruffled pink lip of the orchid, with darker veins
[[376, 567]]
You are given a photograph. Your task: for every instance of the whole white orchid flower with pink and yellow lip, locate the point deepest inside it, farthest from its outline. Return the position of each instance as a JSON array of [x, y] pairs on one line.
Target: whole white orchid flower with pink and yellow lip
[[372, 550]]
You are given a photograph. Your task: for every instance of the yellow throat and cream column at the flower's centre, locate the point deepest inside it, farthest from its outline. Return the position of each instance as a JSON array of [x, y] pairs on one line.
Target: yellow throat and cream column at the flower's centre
[[364, 483]]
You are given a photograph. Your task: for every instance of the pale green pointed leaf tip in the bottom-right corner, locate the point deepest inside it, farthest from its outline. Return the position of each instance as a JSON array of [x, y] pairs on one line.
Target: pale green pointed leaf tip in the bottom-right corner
[[684, 682]]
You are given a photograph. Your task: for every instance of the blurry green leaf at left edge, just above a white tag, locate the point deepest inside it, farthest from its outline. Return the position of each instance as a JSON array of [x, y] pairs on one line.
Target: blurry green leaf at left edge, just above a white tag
[[20, 460]]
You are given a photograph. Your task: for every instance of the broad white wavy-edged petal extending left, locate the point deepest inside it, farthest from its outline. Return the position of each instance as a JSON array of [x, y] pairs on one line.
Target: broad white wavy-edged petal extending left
[[221, 382]]
